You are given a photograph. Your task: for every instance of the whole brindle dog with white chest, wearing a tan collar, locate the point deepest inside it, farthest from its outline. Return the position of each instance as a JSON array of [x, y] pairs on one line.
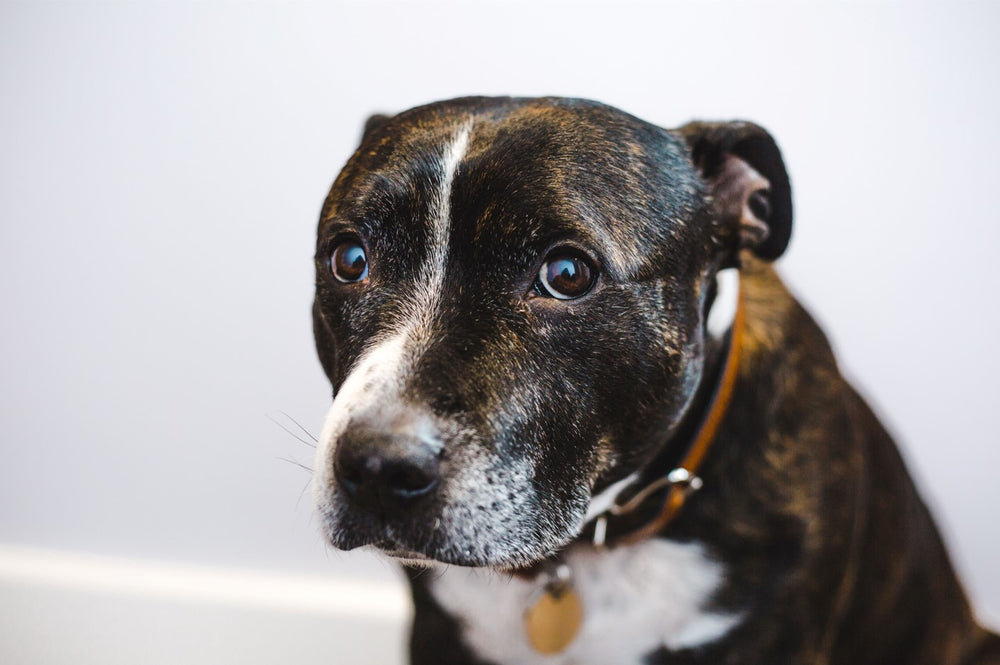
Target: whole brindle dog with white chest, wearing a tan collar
[[568, 380]]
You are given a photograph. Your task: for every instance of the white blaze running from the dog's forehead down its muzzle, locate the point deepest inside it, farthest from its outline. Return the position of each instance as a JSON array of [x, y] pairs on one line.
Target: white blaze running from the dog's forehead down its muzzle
[[381, 371]]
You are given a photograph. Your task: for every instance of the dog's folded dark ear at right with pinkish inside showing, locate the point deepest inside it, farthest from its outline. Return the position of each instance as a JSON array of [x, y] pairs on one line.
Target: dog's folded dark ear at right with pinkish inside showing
[[749, 185]]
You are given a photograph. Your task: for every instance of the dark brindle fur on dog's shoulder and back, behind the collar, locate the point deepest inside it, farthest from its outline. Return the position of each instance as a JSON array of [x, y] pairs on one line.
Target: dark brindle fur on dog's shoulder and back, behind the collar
[[816, 516]]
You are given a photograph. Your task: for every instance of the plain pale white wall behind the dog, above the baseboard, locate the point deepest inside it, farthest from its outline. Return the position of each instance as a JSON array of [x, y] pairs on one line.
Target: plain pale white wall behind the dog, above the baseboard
[[162, 168]]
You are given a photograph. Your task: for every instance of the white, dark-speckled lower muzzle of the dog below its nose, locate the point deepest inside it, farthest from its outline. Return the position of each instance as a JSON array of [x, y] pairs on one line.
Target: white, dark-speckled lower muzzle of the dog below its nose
[[482, 512]]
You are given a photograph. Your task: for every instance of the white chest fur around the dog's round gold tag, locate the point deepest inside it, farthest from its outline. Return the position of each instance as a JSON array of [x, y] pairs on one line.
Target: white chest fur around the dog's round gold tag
[[636, 600]]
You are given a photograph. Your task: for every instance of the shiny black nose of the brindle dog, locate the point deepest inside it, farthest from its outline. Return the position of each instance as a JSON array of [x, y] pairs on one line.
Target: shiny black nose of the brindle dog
[[385, 466]]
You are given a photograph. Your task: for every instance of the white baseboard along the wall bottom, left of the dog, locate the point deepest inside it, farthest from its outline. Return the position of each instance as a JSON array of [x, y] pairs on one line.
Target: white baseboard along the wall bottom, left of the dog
[[66, 608]]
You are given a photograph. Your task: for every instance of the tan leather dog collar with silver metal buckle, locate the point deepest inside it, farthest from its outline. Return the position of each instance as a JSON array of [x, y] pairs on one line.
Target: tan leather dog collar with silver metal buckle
[[683, 479]]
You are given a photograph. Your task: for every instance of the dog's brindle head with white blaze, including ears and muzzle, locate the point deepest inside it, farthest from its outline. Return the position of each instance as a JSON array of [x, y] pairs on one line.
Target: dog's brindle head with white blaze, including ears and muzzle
[[511, 302]]
